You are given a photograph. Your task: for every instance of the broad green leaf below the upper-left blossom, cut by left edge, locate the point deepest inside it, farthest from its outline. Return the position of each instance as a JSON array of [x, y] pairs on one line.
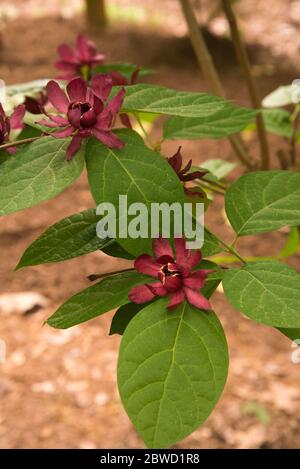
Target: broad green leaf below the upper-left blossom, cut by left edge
[[38, 172]]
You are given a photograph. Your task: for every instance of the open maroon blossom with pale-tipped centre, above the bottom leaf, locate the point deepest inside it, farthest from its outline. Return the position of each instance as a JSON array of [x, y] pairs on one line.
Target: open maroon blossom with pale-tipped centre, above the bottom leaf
[[174, 276]]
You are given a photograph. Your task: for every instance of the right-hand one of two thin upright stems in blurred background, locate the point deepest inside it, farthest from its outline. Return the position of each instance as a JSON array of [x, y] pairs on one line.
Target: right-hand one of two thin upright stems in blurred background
[[246, 69]]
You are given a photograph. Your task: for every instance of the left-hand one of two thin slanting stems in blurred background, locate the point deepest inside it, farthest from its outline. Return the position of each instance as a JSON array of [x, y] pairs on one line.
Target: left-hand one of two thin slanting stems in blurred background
[[210, 73]]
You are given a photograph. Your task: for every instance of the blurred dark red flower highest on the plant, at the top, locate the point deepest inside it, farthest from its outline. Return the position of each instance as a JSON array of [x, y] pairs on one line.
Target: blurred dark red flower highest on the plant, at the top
[[80, 61]]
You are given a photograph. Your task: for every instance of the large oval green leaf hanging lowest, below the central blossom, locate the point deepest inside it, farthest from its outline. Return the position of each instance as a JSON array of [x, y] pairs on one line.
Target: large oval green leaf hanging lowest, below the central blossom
[[171, 372]]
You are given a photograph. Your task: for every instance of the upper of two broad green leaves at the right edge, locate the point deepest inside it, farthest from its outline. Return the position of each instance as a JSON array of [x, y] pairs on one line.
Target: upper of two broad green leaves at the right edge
[[263, 201]]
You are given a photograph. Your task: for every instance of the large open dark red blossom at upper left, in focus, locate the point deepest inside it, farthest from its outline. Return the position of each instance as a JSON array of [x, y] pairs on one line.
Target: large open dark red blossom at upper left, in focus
[[87, 111]]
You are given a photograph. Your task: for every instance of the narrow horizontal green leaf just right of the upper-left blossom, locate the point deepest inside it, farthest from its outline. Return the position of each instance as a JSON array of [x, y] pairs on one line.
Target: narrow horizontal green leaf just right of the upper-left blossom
[[161, 100]]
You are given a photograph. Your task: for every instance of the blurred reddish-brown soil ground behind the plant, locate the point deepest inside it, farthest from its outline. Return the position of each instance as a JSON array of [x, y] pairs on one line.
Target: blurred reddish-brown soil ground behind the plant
[[58, 388]]
